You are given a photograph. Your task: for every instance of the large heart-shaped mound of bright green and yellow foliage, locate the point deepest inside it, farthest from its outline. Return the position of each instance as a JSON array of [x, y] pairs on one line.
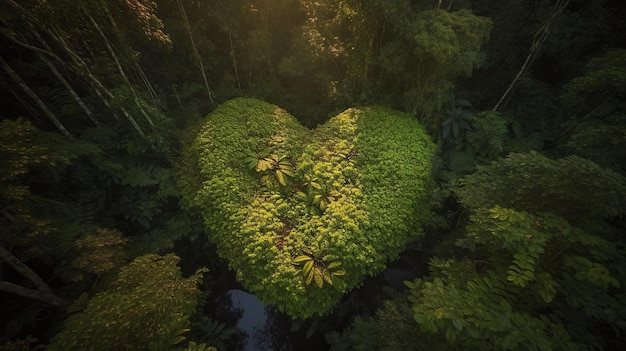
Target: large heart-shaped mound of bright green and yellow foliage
[[357, 191]]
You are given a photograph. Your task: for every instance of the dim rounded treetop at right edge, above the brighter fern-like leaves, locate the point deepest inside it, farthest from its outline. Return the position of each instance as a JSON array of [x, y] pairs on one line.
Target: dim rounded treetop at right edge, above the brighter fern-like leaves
[[571, 187]]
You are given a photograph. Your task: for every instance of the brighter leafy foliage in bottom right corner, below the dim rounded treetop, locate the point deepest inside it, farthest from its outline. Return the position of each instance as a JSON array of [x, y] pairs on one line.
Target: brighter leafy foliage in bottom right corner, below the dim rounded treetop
[[517, 291]]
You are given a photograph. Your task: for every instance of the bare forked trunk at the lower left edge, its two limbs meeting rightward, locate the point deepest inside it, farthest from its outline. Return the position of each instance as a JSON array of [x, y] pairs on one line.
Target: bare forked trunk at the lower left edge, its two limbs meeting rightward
[[41, 292]]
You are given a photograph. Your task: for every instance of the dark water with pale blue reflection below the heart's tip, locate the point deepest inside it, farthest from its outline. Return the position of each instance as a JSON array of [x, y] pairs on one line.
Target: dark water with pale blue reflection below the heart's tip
[[268, 330]]
